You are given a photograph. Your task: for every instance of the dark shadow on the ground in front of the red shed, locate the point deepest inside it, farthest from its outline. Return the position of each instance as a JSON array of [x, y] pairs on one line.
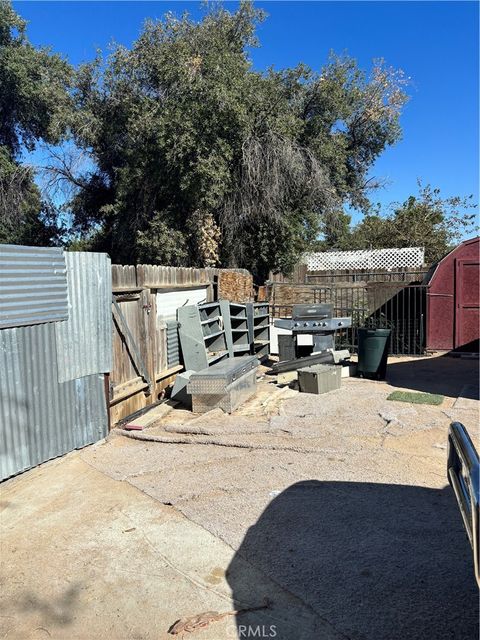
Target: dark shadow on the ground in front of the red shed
[[446, 375]]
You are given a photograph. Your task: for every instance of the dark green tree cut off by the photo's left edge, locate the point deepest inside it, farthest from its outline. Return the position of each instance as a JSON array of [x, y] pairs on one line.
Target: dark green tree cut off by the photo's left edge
[[33, 104]]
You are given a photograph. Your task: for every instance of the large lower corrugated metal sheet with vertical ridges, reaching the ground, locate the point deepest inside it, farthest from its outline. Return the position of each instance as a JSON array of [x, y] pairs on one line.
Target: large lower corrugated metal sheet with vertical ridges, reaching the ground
[[41, 418]]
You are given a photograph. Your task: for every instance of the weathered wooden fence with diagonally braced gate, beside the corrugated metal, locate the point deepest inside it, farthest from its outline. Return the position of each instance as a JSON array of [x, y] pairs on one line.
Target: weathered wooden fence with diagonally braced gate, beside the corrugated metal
[[146, 353]]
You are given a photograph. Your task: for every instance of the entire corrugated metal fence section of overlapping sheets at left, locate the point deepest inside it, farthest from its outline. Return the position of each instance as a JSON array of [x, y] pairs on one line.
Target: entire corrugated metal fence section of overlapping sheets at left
[[52, 393]]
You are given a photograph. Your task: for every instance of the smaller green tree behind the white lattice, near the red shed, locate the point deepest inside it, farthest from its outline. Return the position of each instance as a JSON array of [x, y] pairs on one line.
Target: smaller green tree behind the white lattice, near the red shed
[[424, 220]]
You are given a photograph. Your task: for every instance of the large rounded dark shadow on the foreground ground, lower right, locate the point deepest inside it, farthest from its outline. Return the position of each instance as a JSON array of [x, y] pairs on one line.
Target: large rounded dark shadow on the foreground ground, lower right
[[374, 561]]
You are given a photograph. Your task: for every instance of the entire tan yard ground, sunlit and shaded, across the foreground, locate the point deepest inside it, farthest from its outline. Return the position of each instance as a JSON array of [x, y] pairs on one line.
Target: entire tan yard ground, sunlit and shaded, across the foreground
[[335, 508]]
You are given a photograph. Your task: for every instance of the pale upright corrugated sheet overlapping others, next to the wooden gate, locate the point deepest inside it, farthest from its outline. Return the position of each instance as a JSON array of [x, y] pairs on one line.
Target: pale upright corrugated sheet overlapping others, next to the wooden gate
[[85, 340]]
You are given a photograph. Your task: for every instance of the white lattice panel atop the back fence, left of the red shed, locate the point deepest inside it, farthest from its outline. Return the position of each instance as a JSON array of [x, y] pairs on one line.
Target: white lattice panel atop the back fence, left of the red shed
[[388, 259]]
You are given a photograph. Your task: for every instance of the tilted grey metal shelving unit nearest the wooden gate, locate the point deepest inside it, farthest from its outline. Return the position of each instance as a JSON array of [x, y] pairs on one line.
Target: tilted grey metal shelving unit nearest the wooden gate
[[202, 335]]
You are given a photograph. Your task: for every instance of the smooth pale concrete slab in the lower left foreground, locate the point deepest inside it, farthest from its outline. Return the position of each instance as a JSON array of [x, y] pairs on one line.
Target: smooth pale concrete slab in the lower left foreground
[[84, 556]]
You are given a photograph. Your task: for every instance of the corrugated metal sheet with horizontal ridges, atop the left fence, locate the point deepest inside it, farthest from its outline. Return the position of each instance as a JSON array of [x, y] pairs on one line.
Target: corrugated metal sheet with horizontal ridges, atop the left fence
[[33, 285]]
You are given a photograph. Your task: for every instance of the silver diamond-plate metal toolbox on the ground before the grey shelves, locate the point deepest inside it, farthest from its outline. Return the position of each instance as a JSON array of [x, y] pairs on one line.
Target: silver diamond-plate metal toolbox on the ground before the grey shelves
[[226, 384]]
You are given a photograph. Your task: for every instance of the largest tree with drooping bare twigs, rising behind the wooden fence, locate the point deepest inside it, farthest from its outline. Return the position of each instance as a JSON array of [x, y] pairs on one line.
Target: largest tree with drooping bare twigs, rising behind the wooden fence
[[184, 134]]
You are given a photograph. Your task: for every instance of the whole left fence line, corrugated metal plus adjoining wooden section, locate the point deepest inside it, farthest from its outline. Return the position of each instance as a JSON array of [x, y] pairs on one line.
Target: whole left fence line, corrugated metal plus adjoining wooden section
[[73, 327]]
